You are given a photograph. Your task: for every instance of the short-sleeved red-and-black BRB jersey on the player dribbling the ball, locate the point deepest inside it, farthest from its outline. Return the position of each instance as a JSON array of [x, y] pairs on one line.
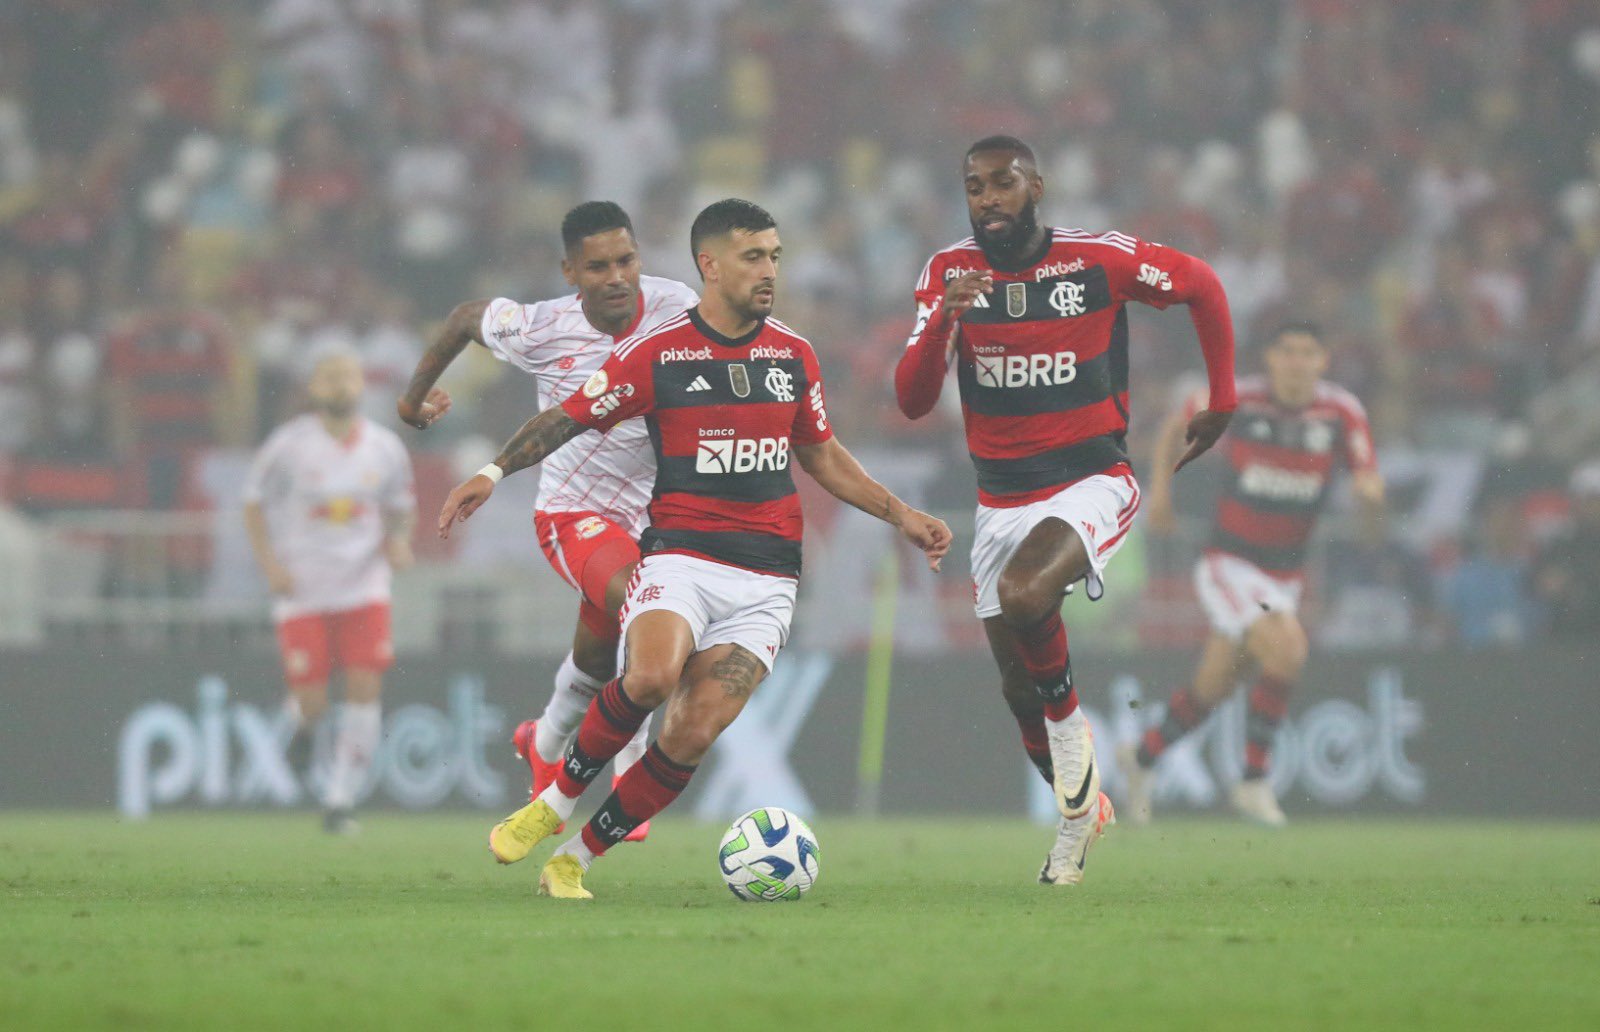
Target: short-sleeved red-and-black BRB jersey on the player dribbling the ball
[[724, 417]]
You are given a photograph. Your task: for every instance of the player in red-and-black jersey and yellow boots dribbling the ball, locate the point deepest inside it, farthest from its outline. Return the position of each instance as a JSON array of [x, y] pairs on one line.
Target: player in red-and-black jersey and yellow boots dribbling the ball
[[730, 396]]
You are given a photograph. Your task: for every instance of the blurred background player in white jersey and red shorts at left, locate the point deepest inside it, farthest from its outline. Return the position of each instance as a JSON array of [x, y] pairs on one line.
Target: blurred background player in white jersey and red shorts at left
[[330, 508]]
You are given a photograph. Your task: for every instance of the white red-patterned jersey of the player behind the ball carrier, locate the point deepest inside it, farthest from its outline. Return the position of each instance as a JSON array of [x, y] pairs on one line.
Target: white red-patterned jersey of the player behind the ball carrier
[[609, 474]]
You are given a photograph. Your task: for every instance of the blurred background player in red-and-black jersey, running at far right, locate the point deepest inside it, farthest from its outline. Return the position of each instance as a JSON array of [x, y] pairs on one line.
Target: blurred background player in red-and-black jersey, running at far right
[[1290, 431]]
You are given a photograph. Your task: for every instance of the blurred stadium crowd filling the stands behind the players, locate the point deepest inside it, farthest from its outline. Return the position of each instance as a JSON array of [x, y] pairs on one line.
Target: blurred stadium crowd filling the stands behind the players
[[201, 198]]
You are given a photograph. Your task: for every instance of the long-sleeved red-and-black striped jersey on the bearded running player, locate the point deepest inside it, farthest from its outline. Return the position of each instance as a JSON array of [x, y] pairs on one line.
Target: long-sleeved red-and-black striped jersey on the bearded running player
[[1042, 362]]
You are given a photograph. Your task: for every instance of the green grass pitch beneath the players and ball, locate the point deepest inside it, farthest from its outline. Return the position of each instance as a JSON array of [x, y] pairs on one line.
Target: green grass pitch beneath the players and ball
[[262, 922]]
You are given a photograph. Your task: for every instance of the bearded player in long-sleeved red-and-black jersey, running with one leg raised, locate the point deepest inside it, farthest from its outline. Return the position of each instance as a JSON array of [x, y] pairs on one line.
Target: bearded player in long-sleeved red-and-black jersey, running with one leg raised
[[1036, 322]]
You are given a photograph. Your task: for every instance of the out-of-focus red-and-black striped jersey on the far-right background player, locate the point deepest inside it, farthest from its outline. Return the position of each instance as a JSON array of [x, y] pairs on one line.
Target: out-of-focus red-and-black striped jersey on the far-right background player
[[1281, 463]]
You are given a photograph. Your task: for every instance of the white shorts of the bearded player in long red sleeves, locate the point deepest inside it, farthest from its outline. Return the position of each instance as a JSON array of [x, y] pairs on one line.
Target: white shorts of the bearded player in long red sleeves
[[1100, 508]]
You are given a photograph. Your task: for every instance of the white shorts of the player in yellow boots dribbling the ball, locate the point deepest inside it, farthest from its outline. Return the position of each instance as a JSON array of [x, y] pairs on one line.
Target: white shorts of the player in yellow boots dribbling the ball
[[724, 606]]
